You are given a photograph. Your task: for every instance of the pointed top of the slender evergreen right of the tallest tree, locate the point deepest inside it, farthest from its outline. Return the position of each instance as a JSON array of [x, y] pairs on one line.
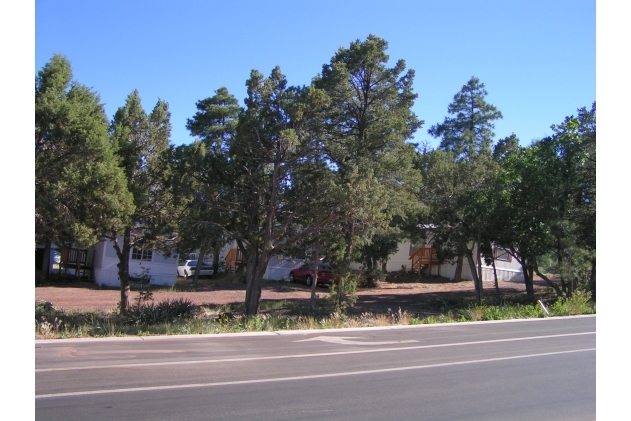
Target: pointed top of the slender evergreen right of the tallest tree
[[469, 129]]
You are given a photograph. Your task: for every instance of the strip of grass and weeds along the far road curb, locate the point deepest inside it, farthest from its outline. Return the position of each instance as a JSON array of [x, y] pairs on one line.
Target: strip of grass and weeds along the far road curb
[[182, 317]]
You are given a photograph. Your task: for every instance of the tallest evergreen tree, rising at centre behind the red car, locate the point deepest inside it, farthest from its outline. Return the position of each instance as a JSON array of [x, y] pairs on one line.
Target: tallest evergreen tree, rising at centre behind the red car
[[365, 129]]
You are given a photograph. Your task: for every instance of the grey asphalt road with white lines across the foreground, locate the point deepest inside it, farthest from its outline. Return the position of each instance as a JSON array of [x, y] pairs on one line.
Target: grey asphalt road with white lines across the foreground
[[522, 370]]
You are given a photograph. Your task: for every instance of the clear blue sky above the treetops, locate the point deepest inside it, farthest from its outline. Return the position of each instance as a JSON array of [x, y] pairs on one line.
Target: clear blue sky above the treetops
[[537, 58]]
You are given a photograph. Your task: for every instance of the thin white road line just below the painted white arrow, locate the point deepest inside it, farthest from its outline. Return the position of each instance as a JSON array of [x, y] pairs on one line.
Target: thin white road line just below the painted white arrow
[[323, 354]]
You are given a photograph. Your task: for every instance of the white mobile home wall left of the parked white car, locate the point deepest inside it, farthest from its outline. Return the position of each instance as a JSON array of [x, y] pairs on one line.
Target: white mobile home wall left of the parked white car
[[163, 270]]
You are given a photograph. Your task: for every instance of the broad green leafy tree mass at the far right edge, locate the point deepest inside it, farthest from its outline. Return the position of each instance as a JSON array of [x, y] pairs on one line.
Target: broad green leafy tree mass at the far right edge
[[549, 203]]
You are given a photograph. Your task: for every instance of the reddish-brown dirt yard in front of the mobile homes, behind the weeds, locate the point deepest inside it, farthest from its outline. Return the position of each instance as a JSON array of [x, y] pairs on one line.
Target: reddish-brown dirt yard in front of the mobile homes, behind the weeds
[[416, 296]]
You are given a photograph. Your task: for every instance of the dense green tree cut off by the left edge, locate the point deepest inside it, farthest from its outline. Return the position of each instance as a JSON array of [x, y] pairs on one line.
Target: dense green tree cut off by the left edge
[[80, 191]]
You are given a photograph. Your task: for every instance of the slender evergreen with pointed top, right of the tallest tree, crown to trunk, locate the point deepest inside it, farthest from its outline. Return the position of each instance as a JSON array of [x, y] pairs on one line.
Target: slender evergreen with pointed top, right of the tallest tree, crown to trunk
[[466, 136]]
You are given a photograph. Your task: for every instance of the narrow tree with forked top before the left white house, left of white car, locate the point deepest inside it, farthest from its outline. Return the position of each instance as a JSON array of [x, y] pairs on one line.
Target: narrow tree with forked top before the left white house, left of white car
[[142, 145]]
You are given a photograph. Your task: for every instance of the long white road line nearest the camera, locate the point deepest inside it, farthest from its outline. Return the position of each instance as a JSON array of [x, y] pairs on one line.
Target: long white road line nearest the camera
[[315, 376]]
